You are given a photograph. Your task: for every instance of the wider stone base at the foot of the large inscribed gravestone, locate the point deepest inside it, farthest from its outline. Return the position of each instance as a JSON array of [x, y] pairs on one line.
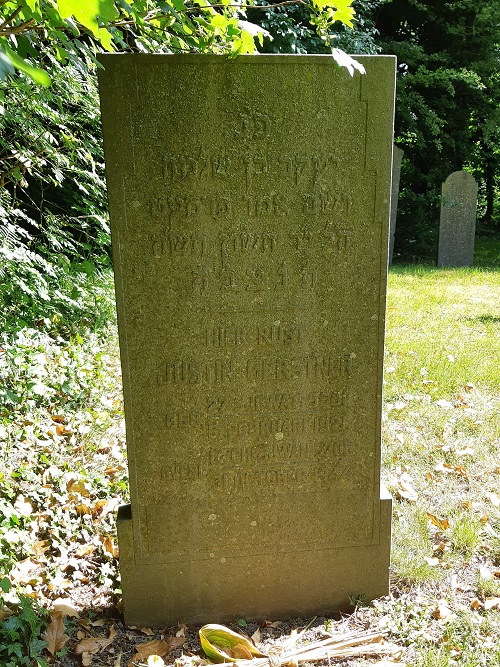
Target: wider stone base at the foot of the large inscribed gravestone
[[298, 584]]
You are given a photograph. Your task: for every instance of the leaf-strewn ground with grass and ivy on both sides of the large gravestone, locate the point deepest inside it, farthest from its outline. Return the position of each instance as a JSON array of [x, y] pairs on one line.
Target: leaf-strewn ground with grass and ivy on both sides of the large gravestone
[[63, 474]]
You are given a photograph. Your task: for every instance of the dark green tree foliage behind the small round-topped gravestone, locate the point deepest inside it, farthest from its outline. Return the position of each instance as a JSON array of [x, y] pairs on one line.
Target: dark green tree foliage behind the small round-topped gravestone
[[448, 102]]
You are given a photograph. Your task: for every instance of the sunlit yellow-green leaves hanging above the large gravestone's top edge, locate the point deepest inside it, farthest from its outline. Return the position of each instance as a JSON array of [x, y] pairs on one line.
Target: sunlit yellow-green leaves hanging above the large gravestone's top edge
[[76, 28]]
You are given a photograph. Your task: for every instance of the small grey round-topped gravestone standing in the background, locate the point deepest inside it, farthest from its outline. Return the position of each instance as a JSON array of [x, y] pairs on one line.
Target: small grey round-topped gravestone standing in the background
[[457, 224]]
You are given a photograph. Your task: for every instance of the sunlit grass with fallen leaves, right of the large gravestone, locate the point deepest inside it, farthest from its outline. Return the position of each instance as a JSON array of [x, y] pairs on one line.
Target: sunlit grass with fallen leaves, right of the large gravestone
[[442, 433]]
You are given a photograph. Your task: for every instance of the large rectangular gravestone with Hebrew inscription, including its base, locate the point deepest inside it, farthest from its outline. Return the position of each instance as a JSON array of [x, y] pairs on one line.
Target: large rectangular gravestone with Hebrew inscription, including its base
[[249, 204]]
